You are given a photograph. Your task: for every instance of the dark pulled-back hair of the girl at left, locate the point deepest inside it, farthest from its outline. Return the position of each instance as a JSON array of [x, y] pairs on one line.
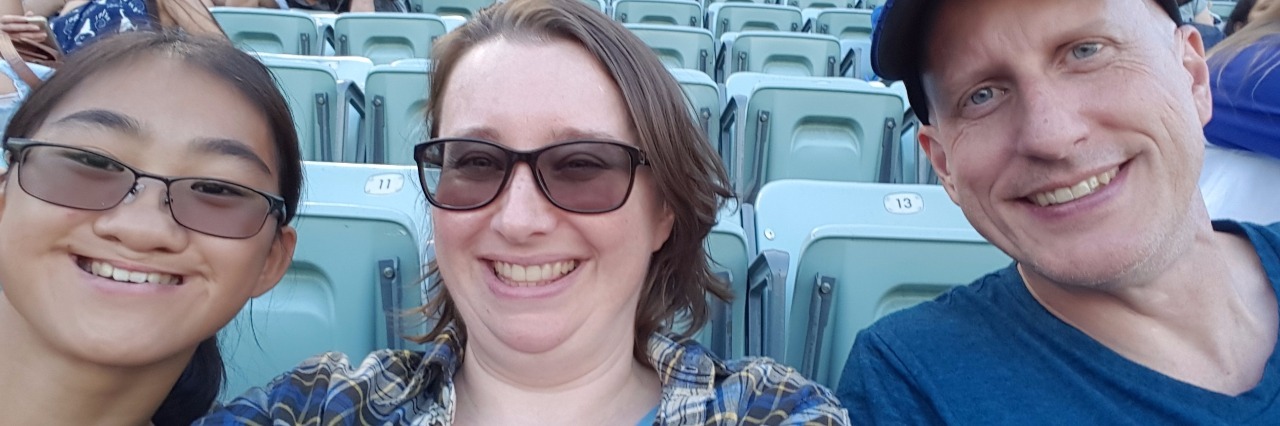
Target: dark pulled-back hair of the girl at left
[[200, 383]]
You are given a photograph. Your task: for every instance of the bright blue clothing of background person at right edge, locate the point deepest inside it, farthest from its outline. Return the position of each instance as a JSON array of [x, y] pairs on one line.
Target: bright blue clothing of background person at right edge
[[1247, 99]]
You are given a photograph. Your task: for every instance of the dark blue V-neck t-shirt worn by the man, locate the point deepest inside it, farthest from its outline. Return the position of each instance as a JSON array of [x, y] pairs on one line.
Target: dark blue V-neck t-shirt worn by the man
[[989, 354]]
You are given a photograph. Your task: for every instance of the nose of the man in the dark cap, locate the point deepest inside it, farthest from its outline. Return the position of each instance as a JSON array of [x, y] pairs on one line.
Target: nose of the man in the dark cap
[[1052, 123]]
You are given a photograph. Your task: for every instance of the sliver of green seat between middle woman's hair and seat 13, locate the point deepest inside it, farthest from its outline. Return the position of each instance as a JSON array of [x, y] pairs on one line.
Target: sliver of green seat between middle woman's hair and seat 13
[[729, 253]]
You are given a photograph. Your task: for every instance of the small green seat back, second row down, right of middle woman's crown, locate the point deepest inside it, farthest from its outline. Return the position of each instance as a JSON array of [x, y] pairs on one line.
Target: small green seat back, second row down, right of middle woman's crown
[[679, 47]]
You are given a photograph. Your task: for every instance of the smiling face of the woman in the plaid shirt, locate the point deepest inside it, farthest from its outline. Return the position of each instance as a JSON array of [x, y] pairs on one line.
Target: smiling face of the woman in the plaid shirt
[[525, 276]]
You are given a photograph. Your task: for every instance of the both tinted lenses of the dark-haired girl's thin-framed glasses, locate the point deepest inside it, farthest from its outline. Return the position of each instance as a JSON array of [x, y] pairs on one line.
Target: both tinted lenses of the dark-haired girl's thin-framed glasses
[[81, 180]]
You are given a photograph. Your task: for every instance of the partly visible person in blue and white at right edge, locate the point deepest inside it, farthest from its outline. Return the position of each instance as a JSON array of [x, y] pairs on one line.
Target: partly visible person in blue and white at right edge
[[1242, 162]]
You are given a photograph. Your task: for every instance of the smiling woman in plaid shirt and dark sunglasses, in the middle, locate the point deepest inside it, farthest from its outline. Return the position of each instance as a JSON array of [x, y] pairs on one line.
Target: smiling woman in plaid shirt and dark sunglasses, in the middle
[[570, 216]]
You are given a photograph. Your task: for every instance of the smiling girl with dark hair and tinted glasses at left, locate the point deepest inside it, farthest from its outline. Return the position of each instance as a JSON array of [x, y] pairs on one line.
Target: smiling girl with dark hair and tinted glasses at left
[[150, 186]]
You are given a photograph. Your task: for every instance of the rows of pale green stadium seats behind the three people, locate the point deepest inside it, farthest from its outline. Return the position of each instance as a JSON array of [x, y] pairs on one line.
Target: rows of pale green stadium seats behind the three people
[[835, 223]]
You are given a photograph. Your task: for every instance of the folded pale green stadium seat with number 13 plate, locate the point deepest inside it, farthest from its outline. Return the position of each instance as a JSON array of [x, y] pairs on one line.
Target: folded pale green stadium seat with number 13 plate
[[787, 214]]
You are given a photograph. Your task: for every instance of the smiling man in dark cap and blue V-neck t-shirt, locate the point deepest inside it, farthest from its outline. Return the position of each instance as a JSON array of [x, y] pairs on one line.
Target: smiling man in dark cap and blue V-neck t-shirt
[[1069, 132]]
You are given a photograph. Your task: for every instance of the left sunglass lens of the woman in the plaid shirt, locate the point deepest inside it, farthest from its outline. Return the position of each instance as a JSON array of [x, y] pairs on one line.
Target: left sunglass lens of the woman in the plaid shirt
[[464, 175]]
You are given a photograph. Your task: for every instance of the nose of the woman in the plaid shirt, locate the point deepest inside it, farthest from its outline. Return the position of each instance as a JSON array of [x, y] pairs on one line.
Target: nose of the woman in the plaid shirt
[[523, 212]]
